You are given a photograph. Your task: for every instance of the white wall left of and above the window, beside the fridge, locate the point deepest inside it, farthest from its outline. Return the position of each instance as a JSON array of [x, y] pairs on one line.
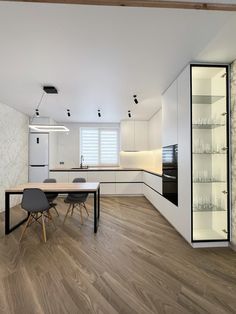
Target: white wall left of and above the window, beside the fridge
[[67, 145]]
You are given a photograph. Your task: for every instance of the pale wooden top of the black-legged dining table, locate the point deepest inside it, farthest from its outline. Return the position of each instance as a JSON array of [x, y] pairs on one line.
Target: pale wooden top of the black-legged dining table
[[58, 187]]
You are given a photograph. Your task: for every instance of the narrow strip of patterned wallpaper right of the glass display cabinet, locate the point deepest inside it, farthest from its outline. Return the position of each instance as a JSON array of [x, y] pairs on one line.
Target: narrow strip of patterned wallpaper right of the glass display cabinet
[[233, 134]]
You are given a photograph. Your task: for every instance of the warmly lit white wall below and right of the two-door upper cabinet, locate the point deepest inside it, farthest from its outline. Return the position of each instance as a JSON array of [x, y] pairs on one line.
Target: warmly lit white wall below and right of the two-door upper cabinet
[[152, 159]]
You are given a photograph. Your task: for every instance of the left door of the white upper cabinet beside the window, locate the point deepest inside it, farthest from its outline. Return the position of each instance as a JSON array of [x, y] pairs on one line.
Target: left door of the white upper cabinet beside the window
[[127, 135]]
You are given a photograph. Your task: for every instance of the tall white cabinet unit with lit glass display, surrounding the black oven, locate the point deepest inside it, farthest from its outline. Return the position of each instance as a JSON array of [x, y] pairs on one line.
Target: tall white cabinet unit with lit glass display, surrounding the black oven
[[195, 111]]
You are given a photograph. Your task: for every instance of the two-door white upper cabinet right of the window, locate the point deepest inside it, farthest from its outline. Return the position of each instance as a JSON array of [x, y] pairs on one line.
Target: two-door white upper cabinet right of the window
[[134, 135]]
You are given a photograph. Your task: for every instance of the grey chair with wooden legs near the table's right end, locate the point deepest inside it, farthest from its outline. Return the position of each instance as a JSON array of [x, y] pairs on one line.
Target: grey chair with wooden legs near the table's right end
[[76, 200]]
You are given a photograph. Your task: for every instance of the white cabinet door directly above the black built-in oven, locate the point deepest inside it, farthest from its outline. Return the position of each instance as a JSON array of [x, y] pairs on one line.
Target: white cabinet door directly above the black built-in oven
[[170, 115]]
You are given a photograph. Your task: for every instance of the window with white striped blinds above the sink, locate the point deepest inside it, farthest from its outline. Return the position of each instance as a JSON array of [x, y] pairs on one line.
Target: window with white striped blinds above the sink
[[99, 146]]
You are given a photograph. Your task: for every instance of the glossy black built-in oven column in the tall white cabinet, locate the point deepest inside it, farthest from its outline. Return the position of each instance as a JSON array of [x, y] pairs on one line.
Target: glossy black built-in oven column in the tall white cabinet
[[170, 173]]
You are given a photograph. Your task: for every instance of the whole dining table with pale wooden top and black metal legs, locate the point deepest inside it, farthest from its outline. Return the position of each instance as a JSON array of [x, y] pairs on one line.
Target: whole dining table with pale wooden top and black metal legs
[[60, 188]]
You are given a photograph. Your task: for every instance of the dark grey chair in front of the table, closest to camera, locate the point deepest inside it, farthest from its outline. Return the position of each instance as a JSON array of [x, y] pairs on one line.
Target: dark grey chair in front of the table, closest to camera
[[35, 202]]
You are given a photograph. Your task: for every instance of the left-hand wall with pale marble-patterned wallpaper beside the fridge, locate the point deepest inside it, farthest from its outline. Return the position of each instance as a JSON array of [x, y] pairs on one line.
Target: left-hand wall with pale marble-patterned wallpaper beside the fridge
[[14, 151]]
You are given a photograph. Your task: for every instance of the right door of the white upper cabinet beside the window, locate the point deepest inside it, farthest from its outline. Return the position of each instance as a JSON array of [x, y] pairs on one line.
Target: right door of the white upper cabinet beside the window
[[140, 135]]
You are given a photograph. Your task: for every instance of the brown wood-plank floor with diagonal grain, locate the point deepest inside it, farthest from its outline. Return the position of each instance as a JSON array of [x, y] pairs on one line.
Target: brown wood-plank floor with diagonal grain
[[136, 263]]
